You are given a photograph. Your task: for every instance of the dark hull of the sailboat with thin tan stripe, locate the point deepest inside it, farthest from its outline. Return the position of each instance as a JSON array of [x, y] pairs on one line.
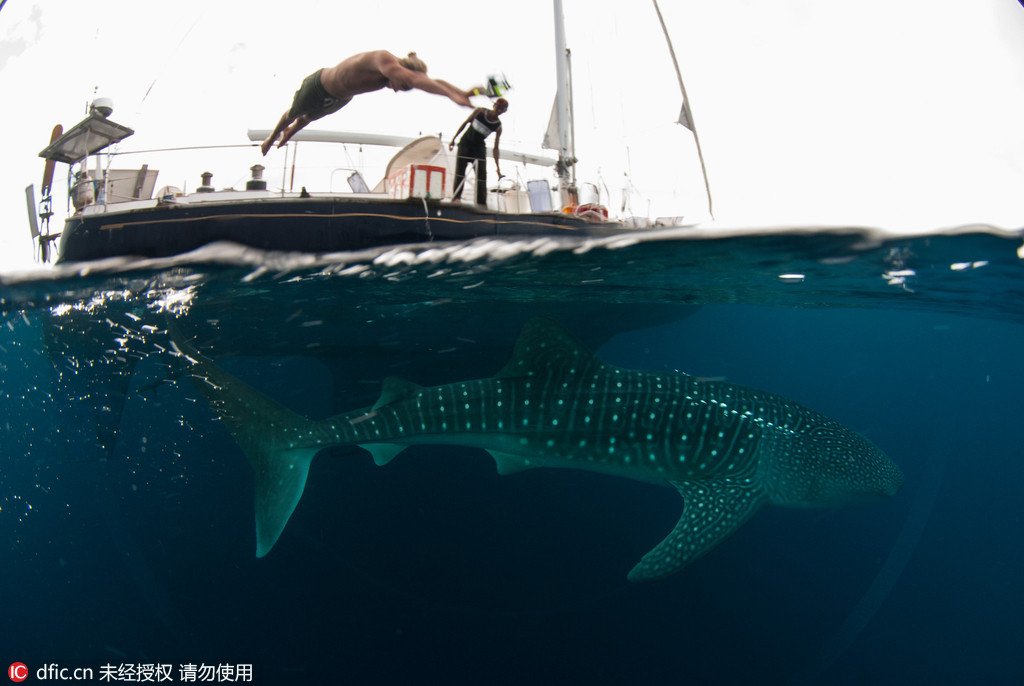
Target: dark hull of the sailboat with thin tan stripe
[[300, 225]]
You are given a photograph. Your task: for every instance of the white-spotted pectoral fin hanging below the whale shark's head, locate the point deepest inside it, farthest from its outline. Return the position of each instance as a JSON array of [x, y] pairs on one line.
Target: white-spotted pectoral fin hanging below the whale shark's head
[[712, 510]]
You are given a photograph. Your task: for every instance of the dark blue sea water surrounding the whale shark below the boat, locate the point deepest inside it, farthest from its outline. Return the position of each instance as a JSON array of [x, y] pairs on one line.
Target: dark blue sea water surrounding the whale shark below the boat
[[126, 530]]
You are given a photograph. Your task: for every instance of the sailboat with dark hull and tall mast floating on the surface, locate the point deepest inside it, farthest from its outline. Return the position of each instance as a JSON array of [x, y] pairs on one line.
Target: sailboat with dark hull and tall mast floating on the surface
[[119, 213]]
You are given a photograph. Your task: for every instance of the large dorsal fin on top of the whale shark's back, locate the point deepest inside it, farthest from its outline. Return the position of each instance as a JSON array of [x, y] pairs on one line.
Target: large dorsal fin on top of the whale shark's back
[[542, 348]]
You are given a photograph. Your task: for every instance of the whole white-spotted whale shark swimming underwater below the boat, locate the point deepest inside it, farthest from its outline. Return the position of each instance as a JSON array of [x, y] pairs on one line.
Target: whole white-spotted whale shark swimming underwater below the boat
[[728, 450]]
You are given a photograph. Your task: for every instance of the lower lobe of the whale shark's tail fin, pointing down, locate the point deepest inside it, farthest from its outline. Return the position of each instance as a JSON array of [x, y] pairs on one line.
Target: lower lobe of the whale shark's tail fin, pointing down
[[281, 479]]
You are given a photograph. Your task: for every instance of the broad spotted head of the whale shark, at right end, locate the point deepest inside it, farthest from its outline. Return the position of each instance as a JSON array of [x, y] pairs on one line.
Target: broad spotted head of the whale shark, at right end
[[827, 464]]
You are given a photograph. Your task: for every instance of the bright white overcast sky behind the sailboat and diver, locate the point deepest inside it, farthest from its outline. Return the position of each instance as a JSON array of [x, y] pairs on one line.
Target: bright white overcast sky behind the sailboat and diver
[[905, 115]]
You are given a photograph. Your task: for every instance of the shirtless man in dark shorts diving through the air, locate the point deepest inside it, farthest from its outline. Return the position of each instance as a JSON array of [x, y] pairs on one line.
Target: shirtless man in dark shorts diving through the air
[[328, 91]]
